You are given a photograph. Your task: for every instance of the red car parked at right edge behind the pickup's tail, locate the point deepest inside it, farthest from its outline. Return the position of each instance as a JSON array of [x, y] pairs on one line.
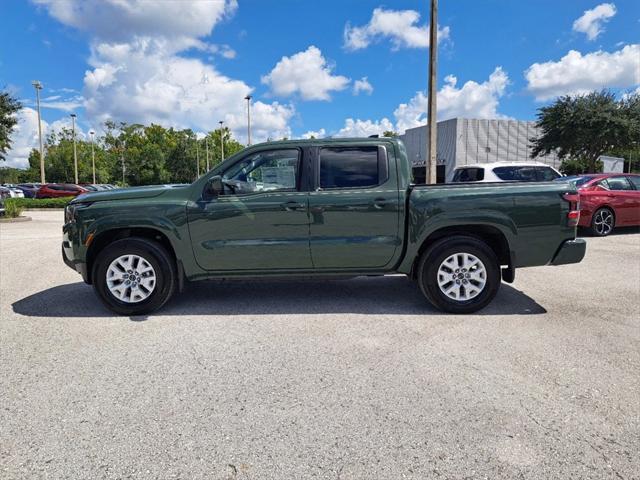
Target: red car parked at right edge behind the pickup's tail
[[607, 201]]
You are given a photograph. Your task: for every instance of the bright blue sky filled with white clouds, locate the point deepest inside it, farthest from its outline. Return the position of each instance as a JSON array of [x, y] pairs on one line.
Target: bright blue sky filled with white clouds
[[333, 67]]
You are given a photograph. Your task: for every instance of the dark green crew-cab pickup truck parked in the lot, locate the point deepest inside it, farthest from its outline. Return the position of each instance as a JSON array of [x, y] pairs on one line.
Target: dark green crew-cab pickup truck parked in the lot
[[335, 207]]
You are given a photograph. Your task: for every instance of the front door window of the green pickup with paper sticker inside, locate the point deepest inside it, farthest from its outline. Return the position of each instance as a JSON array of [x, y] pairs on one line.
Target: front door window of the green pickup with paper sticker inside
[[270, 170]]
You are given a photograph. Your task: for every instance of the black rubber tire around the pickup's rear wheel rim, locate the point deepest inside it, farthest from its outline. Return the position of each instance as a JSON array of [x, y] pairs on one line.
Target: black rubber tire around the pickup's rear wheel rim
[[429, 266]]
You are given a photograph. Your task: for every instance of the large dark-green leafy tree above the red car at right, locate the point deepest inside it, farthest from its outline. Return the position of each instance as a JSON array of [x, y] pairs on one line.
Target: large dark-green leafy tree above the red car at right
[[580, 128]]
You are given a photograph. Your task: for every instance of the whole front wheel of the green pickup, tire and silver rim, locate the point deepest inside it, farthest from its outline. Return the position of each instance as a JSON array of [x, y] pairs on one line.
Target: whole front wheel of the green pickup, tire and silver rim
[[134, 276]]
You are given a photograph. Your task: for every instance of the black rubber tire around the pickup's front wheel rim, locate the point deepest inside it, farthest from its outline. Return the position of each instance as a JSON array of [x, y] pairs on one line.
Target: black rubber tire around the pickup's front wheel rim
[[156, 255]]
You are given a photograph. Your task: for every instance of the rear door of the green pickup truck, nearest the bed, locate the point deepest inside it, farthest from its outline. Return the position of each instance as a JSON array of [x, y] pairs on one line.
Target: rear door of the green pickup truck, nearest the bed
[[354, 227]]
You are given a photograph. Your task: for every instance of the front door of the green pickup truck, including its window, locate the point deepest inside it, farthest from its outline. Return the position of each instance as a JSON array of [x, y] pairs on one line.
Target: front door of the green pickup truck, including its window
[[259, 224]]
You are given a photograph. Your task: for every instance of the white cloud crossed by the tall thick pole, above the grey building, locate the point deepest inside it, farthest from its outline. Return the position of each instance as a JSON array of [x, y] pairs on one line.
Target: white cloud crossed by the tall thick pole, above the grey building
[[473, 99]]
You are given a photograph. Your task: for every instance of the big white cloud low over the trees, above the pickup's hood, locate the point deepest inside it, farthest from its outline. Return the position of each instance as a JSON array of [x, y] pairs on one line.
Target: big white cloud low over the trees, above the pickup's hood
[[140, 82]]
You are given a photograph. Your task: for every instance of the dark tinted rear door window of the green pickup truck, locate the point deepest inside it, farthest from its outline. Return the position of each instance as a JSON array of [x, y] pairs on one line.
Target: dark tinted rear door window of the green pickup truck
[[349, 167]]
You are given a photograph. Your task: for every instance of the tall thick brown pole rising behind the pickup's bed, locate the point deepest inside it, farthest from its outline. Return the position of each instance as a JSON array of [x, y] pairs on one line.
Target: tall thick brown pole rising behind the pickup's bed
[[430, 164]]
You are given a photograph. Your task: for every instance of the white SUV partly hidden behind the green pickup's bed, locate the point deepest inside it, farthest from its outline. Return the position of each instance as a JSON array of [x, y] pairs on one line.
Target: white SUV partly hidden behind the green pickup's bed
[[505, 172]]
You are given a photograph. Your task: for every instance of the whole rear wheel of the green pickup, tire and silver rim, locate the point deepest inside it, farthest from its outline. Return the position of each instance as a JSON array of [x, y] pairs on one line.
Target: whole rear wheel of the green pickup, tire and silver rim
[[459, 274]]
